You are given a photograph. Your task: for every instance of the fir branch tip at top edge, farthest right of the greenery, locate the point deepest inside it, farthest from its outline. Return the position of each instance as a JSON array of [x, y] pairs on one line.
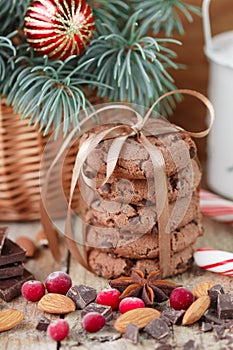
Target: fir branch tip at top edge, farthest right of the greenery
[[169, 14]]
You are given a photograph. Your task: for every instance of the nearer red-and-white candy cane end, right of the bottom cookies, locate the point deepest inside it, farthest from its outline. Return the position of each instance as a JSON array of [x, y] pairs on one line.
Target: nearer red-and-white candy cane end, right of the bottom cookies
[[214, 260]]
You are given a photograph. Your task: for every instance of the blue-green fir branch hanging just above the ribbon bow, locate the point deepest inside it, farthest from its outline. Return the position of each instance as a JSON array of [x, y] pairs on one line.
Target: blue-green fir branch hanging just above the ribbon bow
[[134, 64]]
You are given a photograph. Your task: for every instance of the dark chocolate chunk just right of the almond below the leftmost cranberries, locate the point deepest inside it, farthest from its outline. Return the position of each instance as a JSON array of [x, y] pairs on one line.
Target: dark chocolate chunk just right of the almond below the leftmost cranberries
[[82, 295]]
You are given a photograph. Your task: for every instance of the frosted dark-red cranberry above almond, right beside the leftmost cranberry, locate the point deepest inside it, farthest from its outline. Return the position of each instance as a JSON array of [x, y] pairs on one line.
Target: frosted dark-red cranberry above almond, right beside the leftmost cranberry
[[58, 282]]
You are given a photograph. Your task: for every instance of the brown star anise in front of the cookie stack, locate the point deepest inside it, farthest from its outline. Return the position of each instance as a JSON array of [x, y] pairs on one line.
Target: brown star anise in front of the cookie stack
[[150, 289]]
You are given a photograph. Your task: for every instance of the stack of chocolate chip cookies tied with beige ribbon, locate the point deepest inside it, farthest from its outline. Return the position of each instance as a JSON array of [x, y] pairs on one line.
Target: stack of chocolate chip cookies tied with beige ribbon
[[121, 216]]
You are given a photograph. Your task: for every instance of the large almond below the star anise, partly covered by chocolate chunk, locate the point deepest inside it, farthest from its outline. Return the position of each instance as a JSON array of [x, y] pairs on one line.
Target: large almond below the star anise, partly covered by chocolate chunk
[[140, 317]]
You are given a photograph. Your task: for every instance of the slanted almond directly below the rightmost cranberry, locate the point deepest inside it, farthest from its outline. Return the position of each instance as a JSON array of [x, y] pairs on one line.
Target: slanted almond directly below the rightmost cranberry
[[196, 310]]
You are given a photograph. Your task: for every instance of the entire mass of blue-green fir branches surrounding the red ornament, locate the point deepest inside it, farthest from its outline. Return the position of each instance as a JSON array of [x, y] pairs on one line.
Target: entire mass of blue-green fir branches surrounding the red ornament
[[123, 62]]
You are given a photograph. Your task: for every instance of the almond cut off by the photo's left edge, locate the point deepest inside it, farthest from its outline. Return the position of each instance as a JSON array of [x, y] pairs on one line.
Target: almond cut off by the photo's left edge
[[10, 318]]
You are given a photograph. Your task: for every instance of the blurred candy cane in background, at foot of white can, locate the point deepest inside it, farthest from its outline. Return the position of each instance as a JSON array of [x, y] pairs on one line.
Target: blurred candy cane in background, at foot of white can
[[216, 207]]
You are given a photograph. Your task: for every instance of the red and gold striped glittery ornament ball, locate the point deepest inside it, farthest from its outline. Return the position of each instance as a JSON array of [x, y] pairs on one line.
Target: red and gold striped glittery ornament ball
[[59, 28]]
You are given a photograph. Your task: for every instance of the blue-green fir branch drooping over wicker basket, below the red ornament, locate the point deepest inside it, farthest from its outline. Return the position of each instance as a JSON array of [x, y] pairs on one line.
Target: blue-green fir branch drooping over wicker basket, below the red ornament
[[49, 93]]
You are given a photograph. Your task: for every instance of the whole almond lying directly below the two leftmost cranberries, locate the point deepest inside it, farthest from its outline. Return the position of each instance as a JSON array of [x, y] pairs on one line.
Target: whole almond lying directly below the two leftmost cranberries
[[56, 304]]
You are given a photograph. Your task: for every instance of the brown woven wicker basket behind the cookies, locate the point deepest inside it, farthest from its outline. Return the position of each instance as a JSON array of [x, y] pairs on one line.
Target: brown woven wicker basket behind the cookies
[[21, 148]]
